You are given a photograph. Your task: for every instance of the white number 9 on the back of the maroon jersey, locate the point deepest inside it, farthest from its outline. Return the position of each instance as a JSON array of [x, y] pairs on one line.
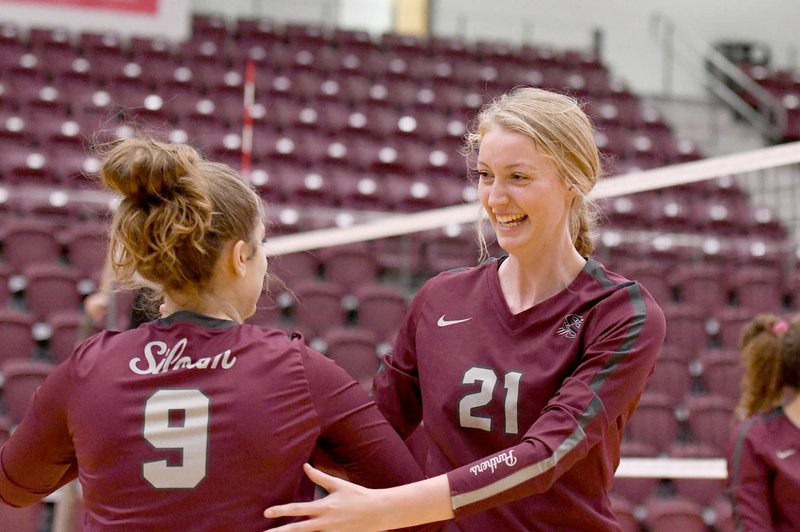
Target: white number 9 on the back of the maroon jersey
[[191, 437]]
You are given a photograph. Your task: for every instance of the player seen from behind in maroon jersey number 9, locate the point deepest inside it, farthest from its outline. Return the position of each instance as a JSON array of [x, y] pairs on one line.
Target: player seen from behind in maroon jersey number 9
[[194, 421]]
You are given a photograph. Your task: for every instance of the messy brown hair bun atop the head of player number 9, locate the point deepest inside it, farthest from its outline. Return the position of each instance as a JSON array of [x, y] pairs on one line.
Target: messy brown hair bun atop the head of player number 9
[[144, 170]]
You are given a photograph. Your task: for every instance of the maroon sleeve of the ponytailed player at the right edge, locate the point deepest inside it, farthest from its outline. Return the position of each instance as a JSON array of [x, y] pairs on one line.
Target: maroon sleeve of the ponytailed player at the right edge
[[748, 479]]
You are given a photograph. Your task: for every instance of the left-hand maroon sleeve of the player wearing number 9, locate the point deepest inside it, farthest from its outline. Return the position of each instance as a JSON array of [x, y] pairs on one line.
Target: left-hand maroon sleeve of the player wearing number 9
[[39, 457]]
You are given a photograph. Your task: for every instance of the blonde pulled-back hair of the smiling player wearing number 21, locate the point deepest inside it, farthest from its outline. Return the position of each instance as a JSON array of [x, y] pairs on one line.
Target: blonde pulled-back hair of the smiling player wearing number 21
[[562, 132]]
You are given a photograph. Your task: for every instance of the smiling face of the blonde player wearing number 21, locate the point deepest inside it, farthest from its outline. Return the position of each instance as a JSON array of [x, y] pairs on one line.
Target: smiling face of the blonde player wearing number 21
[[526, 199]]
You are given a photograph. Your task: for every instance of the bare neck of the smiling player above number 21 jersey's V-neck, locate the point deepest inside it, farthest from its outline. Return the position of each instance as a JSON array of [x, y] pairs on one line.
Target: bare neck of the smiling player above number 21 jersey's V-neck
[[529, 280]]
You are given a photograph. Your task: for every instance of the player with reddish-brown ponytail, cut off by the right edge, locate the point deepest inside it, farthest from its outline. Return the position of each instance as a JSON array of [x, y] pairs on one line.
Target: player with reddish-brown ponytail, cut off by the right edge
[[764, 458]]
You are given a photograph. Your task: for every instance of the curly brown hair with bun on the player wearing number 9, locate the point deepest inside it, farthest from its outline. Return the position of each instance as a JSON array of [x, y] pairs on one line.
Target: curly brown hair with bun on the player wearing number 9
[[178, 211]]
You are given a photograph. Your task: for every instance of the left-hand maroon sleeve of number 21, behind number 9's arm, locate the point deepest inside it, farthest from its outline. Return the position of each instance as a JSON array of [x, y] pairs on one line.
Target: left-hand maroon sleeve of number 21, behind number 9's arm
[[396, 386]]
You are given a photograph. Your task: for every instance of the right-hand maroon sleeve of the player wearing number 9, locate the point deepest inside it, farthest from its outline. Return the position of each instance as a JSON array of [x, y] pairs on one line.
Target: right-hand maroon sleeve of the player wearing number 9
[[354, 434]]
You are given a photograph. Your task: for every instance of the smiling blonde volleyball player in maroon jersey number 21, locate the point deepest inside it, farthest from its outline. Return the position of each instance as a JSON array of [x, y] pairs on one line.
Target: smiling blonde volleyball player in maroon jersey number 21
[[523, 370]]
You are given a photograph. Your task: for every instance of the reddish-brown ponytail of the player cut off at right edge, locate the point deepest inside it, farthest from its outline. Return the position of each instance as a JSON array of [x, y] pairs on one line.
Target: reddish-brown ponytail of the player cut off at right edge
[[770, 349]]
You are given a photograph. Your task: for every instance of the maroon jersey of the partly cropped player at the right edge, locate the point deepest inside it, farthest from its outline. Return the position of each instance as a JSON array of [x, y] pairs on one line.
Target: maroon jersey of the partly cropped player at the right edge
[[764, 473]]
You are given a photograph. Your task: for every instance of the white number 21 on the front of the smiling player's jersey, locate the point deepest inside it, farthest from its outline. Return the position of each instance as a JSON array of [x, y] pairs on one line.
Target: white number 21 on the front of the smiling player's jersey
[[483, 397]]
